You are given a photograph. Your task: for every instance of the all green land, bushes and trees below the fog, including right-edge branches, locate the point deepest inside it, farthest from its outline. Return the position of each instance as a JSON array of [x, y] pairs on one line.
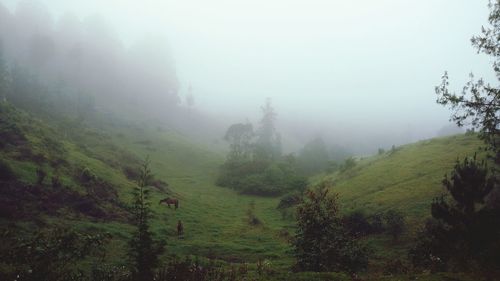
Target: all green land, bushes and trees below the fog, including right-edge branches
[[75, 187]]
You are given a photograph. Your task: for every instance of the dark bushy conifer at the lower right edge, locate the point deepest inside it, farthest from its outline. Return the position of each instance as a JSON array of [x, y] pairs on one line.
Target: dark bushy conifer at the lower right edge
[[464, 230]]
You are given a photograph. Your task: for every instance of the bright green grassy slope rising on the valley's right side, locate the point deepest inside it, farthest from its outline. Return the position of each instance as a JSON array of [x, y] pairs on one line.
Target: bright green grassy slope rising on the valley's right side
[[405, 179]]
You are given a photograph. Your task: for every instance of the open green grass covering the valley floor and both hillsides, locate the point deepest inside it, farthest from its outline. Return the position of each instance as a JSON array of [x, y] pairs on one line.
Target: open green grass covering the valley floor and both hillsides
[[214, 218]]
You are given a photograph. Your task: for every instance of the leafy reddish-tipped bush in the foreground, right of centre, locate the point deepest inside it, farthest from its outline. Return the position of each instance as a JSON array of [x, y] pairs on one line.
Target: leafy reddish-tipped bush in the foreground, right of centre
[[321, 242]]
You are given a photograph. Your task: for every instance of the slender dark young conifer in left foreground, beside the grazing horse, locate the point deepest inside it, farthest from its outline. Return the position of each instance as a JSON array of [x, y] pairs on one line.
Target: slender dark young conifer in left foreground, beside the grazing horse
[[143, 251]]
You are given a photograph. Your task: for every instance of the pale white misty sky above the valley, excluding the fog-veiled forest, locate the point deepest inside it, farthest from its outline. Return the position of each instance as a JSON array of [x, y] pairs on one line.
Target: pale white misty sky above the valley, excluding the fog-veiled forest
[[355, 65]]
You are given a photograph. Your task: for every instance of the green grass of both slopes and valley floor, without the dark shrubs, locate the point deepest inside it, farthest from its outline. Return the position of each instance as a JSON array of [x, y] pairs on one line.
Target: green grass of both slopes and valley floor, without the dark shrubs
[[214, 218]]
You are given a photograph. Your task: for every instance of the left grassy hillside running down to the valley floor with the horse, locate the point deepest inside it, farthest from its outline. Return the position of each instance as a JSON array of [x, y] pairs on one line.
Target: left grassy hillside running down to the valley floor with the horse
[[214, 218]]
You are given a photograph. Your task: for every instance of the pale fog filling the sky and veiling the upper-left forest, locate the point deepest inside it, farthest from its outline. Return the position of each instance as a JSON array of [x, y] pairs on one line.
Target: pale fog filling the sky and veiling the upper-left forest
[[358, 73]]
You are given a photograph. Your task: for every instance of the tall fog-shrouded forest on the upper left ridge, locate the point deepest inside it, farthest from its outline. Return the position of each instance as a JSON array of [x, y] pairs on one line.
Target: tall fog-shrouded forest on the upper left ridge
[[84, 59]]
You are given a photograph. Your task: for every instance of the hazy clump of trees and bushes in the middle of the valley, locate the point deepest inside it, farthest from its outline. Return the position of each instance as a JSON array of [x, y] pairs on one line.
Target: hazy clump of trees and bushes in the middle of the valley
[[254, 164]]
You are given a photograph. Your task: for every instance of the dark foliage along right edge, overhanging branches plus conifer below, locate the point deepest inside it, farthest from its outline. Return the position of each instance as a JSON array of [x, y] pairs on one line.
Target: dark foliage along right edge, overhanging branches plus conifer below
[[465, 230]]
